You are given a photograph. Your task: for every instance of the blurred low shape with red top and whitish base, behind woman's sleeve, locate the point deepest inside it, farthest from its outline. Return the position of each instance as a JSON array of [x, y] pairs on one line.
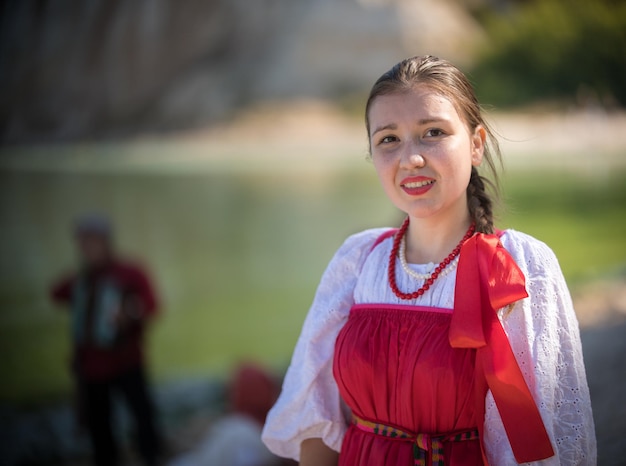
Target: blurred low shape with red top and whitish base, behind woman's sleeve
[[235, 440]]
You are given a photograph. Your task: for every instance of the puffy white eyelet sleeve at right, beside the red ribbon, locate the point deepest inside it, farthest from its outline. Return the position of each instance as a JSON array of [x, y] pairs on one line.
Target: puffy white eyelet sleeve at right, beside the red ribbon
[[544, 335]]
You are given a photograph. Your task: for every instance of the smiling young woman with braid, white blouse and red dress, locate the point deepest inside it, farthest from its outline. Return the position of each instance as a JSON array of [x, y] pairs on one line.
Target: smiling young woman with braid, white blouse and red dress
[[446, 342]]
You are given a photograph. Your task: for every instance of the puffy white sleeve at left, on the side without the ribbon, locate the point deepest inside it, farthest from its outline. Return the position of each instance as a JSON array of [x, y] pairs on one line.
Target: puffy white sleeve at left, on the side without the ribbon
[[309, 405]]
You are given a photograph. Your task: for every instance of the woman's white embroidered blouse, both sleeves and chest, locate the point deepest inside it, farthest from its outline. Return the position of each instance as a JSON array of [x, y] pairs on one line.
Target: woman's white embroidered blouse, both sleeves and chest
[[542, 329]]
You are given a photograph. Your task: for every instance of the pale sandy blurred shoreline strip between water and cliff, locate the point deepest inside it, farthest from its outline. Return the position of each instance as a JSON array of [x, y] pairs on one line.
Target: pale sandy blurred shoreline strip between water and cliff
[[312, 135]]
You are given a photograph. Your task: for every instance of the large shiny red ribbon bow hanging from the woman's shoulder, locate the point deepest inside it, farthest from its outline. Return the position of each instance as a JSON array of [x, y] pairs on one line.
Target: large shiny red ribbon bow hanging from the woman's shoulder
[[487, 280]]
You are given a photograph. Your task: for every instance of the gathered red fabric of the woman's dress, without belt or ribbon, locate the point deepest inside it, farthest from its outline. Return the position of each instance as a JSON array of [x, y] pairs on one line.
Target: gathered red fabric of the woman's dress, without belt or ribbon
[[394, 365]]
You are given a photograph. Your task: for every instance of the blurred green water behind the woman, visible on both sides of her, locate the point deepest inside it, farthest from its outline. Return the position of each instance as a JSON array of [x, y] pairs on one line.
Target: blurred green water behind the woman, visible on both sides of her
[[237, 256]]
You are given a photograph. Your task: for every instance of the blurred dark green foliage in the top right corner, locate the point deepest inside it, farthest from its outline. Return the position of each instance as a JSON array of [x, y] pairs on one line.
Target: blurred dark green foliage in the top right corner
[[564, 50]]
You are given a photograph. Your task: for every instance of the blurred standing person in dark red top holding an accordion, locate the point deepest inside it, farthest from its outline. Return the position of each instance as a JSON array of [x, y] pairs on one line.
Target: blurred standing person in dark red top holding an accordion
[[110, 302]]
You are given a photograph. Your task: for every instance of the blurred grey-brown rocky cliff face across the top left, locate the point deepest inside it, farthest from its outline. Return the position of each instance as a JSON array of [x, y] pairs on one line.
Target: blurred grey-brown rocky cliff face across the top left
[[91, 68]]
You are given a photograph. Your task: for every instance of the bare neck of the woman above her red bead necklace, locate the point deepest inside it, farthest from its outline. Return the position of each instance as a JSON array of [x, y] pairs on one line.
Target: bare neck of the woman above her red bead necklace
[[432, 240]]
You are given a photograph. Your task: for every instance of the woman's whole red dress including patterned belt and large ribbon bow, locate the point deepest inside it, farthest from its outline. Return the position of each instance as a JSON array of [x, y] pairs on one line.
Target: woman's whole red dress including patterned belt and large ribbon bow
[[409, 378]]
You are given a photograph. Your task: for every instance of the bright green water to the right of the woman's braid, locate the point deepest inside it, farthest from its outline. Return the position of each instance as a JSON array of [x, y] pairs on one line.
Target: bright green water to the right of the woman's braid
[[581, 217]]
